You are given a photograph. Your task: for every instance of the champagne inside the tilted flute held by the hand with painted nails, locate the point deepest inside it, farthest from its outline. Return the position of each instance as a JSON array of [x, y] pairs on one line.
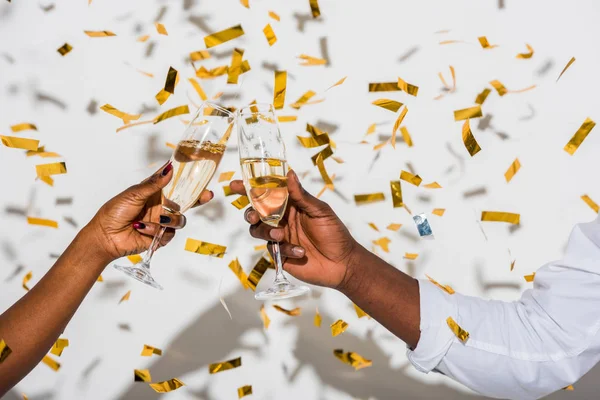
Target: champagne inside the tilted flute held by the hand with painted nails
[[194, 164]]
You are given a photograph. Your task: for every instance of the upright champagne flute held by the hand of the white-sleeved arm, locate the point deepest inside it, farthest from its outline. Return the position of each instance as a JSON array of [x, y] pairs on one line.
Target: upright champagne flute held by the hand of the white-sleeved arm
[[264, 169]]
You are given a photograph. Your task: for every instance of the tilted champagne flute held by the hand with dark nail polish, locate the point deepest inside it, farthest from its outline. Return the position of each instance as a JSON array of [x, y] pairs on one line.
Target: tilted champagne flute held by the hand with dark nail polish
[[195, 161]]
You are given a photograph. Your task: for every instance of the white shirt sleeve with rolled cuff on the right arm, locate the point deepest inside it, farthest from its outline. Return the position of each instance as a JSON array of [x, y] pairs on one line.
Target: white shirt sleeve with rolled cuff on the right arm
[[525, 349]]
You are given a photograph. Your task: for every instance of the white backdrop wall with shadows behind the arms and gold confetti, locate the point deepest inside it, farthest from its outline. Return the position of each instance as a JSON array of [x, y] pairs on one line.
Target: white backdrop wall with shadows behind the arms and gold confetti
[[370, 41]]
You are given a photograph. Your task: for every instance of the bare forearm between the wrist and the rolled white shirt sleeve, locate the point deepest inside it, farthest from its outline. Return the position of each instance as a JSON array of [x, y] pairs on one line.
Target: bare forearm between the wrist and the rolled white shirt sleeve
[[385, 293]]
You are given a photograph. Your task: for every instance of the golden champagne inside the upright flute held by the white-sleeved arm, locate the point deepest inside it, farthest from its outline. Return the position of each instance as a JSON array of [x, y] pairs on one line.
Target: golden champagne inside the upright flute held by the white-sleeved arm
[[266, 184]]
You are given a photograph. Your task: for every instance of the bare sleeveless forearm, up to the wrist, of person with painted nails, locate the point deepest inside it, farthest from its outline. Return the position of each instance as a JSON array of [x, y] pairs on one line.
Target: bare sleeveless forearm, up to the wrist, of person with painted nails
[[32, 325]]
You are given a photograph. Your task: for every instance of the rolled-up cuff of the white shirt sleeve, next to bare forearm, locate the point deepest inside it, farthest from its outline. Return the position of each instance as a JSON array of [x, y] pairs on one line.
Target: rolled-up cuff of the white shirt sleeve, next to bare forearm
[[436, 336]]
